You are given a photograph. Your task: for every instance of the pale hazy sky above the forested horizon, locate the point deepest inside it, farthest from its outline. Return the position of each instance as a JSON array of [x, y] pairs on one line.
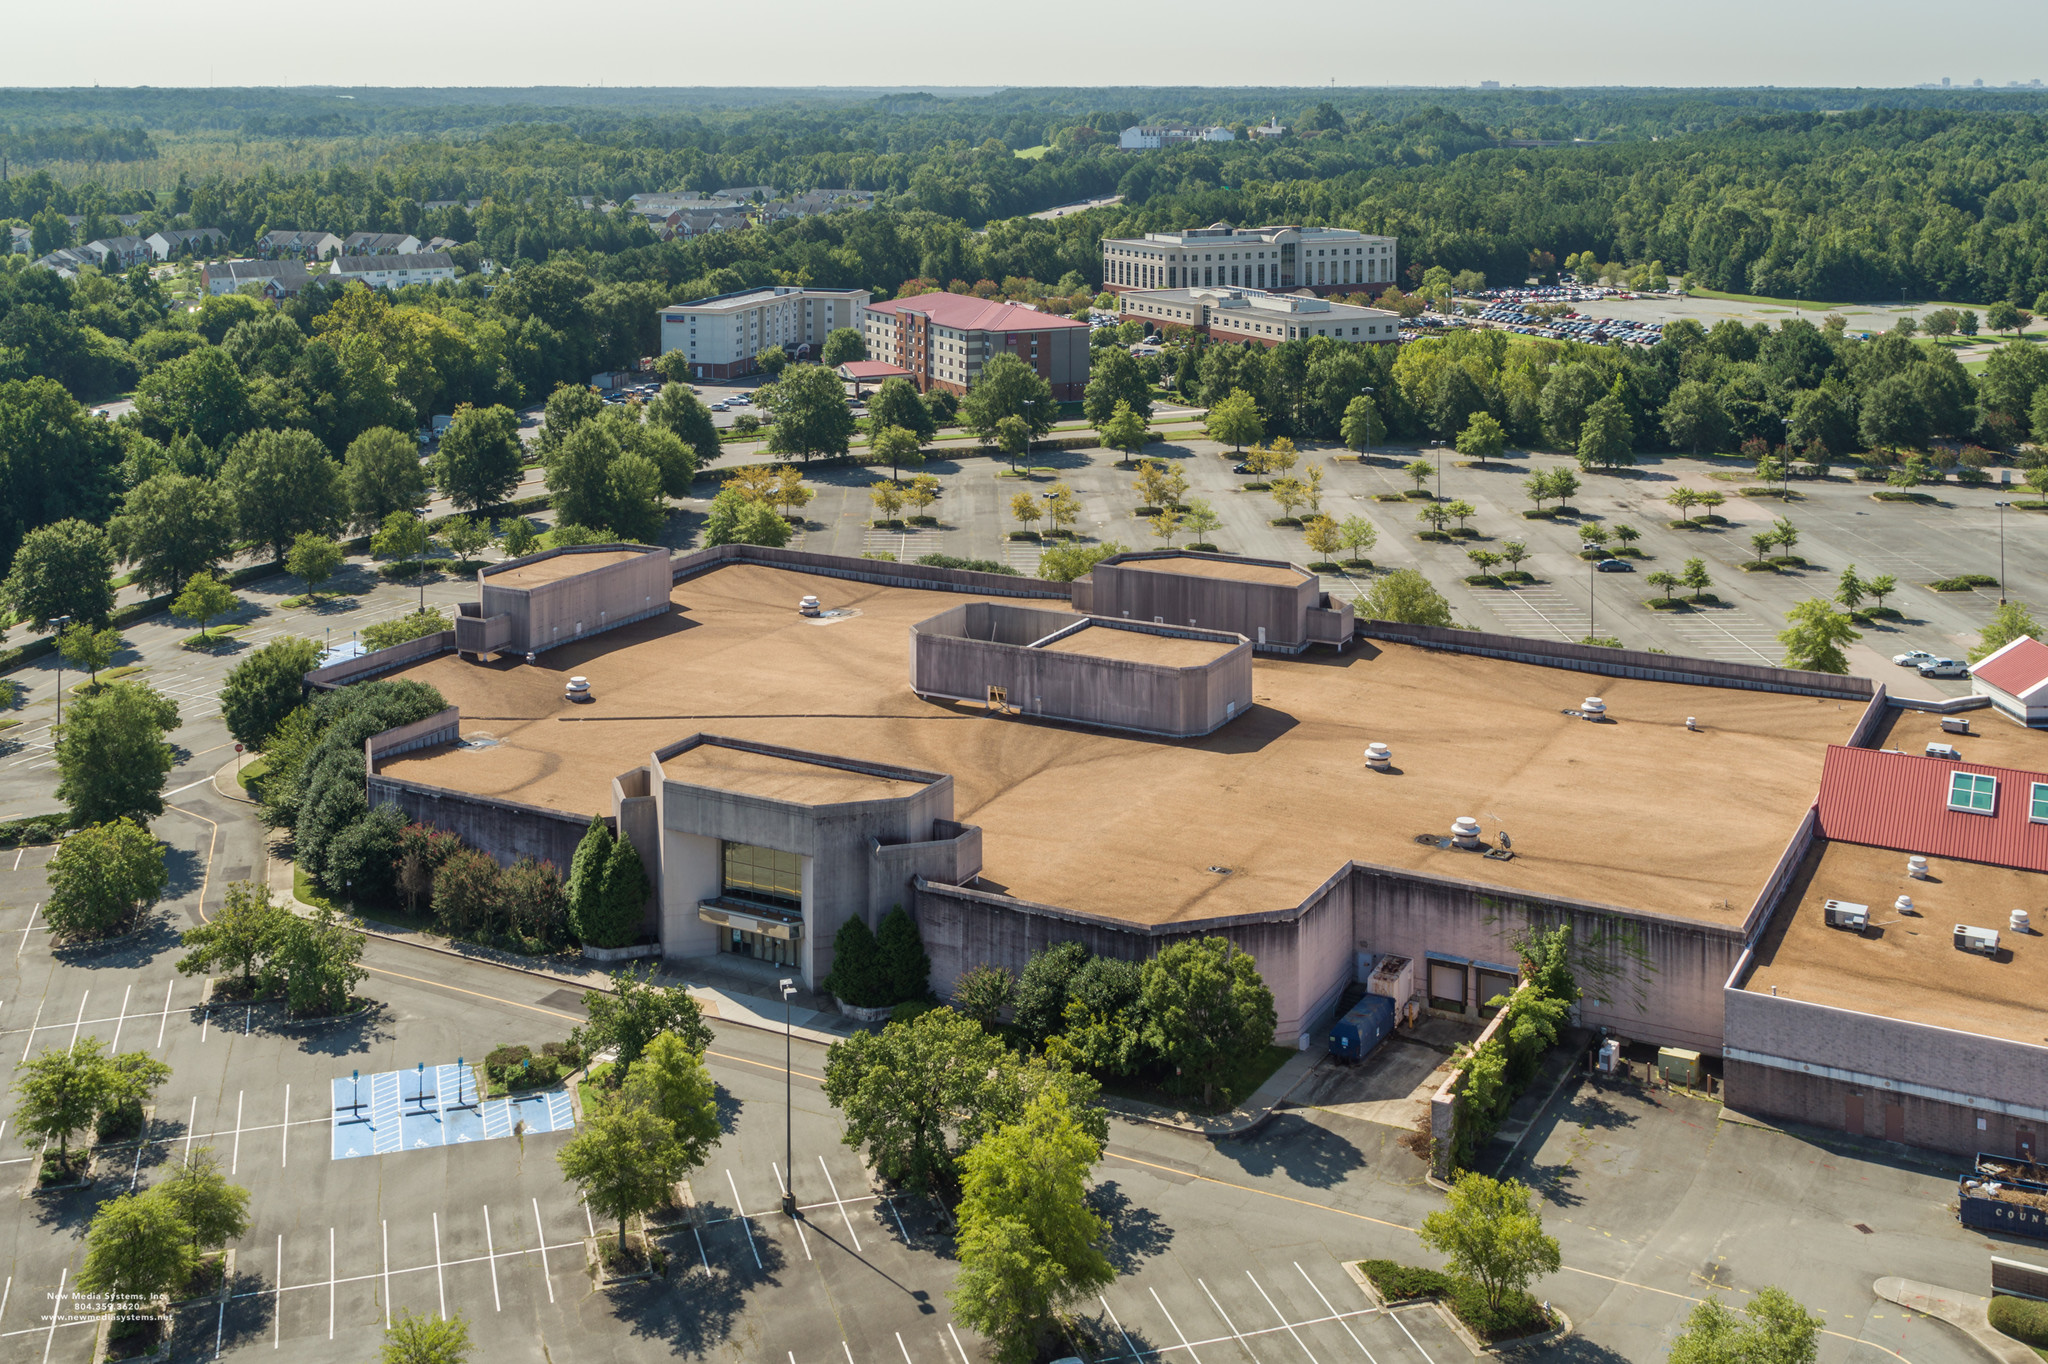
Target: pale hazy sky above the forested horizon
[[1041, 44]]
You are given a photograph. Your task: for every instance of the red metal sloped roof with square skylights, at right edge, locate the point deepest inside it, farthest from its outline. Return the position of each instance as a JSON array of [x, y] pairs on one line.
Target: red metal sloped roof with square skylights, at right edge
[[1902, 802]]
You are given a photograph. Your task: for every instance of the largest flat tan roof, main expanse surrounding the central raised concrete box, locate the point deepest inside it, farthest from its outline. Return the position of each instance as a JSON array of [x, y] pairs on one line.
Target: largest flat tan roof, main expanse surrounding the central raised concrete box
[[1635, 814]]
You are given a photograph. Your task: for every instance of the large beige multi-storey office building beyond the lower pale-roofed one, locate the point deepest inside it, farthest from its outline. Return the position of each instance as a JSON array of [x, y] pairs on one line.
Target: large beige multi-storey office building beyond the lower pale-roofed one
[[1224, 257]]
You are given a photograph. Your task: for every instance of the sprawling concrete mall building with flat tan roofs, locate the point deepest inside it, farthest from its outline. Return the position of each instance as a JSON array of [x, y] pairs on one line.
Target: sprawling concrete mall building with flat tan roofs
[[1832, 894]]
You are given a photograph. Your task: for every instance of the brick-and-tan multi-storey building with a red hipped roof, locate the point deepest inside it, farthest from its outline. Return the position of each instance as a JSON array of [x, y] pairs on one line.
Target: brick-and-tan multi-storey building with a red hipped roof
[[945, 339]]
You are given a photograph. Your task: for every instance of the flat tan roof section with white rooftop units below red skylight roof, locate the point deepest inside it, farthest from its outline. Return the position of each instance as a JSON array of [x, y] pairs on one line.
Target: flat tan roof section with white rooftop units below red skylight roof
[[1910, 968]]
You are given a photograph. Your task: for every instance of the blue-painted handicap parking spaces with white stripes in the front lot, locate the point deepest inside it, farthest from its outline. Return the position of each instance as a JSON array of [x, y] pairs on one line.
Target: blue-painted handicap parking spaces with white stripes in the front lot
[[435, 1107]]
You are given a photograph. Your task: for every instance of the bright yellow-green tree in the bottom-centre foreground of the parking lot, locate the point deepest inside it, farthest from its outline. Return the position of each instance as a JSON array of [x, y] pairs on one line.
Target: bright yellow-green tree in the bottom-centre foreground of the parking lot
[[1029, 1244]]
